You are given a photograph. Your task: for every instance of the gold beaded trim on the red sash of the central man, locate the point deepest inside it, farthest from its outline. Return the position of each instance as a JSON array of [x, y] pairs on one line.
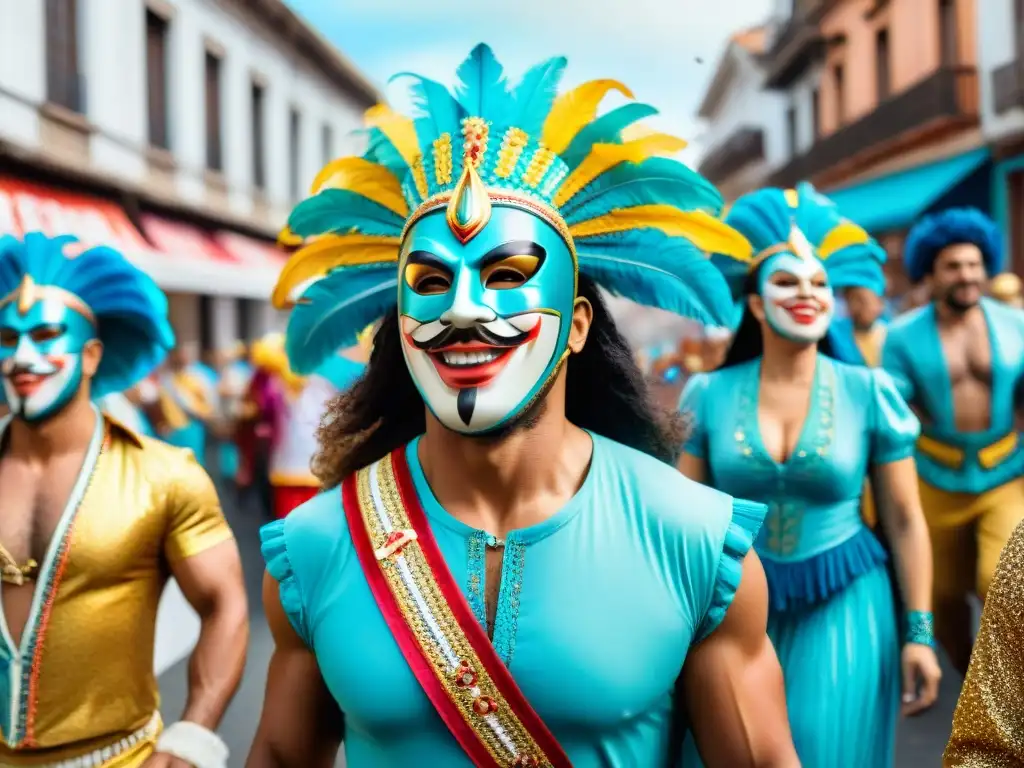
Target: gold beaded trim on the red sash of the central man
[[468, 686]]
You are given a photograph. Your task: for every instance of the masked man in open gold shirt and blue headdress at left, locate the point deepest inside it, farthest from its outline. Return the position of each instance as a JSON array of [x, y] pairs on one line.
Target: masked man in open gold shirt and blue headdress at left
[[93, 520]]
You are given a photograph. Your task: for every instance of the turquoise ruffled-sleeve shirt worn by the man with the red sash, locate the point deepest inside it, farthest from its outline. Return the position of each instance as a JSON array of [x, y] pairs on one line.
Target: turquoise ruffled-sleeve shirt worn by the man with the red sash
[[598, 609]]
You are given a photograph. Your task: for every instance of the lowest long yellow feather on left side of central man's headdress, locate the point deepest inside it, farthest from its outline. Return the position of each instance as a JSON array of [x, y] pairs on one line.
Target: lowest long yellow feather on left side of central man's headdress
[[327, 253]]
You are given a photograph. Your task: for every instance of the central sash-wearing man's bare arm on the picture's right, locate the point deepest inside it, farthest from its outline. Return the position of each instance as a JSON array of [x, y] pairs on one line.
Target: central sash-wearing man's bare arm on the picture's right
[[734, 685]]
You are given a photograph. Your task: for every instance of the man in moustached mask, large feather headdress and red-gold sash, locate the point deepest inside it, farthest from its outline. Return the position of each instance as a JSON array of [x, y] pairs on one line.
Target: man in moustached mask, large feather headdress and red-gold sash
[[509, 533]]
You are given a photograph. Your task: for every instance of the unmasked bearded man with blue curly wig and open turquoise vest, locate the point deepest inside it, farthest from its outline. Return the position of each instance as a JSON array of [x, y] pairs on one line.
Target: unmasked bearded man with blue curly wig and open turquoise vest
[[958, 362]]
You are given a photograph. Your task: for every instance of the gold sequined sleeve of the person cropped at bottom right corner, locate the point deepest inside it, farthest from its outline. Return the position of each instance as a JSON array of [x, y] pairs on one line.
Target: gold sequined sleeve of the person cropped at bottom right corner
[[989, 727]]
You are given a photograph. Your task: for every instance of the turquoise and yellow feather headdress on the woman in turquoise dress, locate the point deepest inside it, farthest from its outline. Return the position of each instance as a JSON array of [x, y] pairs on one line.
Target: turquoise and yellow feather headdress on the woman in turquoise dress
[[806, 224]]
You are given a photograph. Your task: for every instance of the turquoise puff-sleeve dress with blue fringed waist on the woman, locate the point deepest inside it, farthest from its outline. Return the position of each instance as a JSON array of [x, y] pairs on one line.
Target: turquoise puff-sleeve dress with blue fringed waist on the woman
[[832, 615]]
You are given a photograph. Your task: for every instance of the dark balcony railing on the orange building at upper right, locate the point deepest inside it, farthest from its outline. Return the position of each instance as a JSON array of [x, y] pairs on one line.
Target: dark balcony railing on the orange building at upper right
[[948, 99]]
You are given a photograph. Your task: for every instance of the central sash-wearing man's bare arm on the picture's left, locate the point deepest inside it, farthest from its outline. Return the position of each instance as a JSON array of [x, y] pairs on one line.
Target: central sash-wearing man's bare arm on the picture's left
[[302, 726]]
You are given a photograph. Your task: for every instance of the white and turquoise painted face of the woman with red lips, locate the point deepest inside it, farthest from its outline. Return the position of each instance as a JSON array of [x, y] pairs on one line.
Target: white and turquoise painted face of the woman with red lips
[[798, 302]]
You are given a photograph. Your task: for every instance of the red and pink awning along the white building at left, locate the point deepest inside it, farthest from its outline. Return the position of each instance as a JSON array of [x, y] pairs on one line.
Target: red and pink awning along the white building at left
[[183, 259]]
